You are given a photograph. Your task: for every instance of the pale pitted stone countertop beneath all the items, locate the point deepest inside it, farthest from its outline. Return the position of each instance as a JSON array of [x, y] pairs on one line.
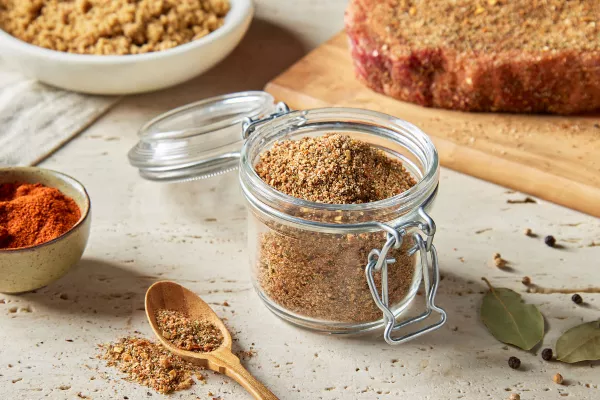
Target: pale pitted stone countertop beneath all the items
[[142, 231]]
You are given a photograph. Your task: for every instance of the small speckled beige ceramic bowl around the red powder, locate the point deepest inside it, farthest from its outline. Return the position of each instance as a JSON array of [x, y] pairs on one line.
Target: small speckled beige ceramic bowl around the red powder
[[30, 268]]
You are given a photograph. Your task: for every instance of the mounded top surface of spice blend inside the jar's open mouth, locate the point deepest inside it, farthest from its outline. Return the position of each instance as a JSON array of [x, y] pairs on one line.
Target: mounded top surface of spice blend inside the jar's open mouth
[[333, 169]]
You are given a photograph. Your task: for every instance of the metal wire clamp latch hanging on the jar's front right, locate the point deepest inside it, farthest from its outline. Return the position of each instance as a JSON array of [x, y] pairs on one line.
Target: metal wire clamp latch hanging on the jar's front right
[[378, 261]]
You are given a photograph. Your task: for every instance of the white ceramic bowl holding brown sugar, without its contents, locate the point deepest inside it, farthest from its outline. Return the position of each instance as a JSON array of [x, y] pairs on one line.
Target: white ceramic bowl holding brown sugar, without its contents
[[129, 74]]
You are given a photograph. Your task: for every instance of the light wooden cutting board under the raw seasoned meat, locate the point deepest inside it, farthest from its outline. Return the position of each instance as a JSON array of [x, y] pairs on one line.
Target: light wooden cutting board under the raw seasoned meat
[[555, 158]]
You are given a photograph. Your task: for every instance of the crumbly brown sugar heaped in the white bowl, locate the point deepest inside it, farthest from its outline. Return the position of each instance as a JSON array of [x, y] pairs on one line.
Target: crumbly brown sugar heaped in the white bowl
[[102, 27]]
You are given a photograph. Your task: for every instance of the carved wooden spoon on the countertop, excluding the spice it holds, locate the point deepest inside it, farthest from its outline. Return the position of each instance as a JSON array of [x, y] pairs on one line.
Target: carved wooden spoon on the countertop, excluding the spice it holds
[[171, 296]]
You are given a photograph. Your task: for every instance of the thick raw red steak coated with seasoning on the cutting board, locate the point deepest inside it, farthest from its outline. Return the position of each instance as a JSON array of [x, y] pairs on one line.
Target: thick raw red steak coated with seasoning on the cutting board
[[522, 56]]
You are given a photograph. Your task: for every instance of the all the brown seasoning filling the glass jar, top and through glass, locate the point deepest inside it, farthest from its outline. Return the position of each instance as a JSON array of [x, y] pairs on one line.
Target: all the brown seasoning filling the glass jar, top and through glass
[[321, 275]]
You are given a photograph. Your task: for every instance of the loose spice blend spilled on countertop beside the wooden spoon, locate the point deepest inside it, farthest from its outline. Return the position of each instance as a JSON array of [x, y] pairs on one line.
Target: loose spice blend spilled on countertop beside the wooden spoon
[[150, 364]]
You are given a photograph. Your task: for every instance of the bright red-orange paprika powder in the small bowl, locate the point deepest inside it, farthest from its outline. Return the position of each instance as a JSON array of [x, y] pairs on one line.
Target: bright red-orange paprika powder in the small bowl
[[31, 214]]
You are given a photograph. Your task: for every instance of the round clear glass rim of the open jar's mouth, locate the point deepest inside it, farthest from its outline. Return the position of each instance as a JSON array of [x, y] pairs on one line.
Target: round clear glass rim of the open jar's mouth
[[408, 199]]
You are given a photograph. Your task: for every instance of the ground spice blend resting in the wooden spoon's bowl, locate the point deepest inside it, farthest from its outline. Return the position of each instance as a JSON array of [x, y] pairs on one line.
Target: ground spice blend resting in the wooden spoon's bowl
[[188, 334]]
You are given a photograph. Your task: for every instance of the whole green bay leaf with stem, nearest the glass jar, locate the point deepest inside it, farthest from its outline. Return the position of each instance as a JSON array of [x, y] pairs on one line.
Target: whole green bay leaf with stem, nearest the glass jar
[[510, 319]]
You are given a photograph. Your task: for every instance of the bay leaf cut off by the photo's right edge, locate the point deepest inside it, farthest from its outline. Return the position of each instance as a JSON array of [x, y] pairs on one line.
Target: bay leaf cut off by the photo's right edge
[[580, 343]]
